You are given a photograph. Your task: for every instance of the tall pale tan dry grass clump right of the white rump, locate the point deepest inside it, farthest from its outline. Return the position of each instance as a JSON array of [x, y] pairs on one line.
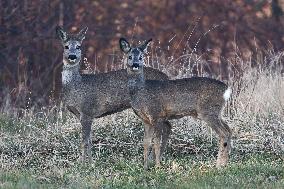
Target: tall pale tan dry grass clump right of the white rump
[[257, 106]]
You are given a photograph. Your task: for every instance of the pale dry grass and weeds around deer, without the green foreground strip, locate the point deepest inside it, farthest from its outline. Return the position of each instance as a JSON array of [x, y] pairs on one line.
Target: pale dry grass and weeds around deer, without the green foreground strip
[[47, 141]]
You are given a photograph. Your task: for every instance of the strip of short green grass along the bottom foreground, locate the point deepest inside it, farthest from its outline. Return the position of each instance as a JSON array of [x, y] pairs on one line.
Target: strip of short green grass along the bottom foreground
[[254, 171]]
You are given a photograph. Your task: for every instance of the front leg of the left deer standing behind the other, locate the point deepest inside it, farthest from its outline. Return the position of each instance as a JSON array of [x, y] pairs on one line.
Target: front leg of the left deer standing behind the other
[[86, 122]]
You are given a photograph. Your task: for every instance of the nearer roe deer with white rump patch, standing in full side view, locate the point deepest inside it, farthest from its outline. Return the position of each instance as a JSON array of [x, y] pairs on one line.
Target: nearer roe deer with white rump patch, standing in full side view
[[158, 101]]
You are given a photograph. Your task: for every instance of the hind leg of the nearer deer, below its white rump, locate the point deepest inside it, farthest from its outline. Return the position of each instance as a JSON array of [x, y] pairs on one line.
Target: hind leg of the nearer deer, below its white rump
[[224, 132]]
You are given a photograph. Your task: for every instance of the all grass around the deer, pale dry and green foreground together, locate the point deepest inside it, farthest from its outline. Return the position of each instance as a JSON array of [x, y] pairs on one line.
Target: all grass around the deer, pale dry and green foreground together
[[40, 149]]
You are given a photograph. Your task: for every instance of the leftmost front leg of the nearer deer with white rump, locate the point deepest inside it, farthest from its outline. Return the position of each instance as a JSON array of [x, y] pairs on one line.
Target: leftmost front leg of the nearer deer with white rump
[[148, 136]]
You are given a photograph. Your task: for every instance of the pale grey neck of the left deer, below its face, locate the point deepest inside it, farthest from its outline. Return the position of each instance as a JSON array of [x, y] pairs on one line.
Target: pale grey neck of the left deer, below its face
[[70, 74]]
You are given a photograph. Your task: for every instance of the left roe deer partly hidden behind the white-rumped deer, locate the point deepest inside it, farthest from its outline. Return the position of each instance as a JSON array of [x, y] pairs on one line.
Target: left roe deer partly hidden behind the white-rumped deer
[[97, 95]]
